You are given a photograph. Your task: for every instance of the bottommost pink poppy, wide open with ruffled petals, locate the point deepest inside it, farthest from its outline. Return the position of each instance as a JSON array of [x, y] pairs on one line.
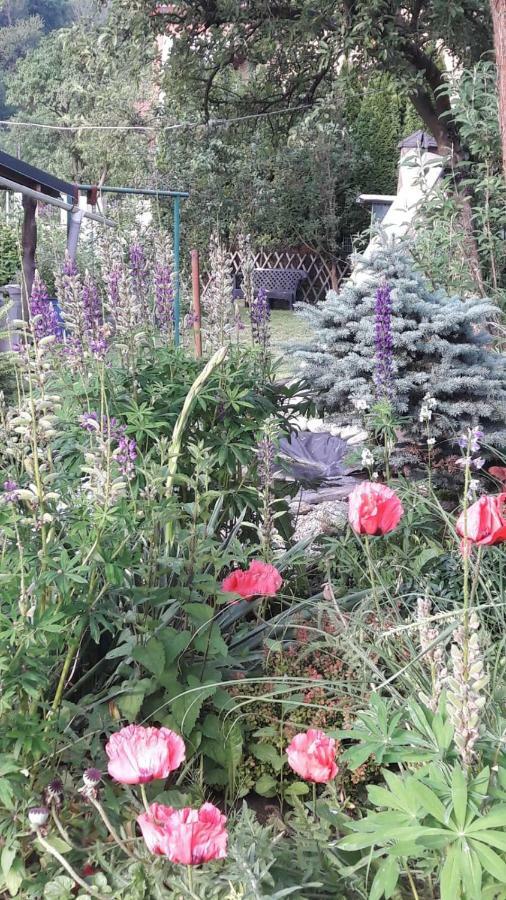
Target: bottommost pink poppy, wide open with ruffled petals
[[186, 836]]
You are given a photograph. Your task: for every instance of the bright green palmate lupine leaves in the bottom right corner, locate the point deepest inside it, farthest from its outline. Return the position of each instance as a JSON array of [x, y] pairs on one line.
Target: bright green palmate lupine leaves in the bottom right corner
[[438, 820]]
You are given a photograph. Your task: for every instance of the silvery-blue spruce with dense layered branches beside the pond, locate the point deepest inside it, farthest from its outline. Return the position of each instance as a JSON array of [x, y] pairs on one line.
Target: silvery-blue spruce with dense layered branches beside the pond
[[441, 345]]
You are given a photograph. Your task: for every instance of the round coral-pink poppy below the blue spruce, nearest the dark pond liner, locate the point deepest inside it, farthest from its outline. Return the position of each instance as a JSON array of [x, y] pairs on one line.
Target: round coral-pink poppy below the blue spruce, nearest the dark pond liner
[[374, 508]]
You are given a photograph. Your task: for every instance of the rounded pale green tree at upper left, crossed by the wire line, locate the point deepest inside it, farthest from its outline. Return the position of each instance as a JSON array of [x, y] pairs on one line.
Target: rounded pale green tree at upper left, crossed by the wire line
[[96, 74]]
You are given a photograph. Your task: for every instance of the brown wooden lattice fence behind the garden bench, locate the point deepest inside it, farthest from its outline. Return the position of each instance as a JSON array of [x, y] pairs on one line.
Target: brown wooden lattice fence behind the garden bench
[[319, 275]]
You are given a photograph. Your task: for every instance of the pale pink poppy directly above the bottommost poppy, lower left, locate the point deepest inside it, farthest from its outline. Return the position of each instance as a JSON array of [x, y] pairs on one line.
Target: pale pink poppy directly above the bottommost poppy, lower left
[[137, 754]]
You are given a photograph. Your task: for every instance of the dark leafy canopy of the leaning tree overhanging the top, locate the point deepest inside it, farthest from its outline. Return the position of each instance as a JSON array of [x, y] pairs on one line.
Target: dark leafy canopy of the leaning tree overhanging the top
[[288, 52]]
